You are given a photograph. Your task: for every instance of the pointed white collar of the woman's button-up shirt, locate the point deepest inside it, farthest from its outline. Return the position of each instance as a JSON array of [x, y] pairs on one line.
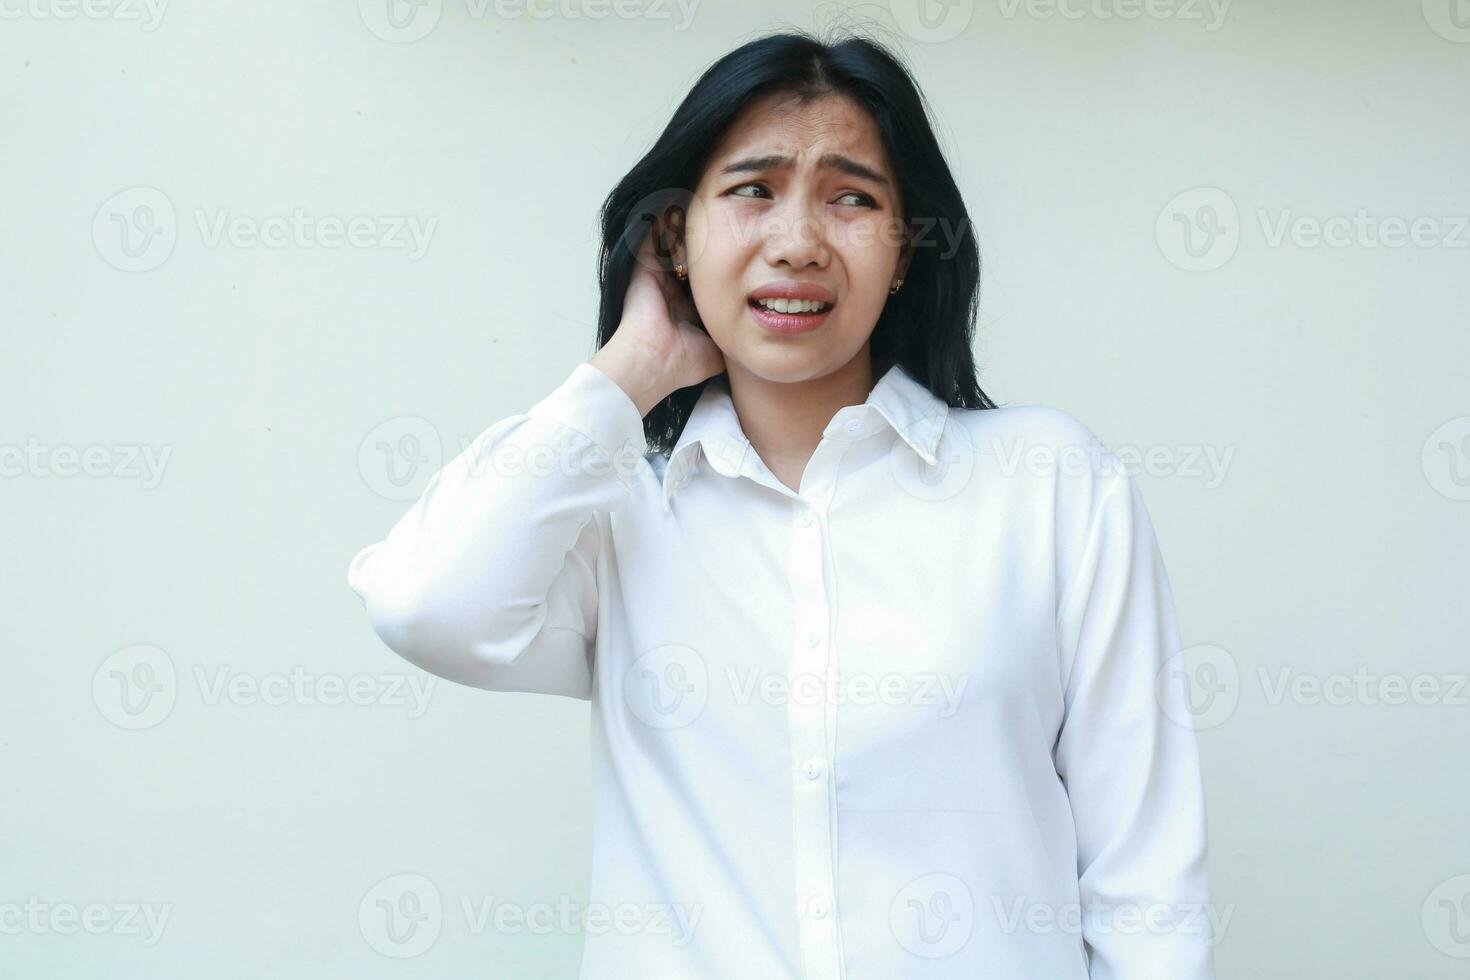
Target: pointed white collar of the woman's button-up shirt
[[714, 433]]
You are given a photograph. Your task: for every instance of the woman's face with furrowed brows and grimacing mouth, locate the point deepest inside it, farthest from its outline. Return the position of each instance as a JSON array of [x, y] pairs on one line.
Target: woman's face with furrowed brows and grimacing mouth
[[796, 196]]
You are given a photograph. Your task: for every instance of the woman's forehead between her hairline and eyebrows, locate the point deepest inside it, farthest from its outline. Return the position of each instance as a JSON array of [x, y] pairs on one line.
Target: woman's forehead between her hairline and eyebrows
[[783, 126]]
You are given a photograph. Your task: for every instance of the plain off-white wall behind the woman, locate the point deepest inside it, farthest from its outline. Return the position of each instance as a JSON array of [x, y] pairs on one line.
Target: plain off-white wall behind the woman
[[1199, 231]]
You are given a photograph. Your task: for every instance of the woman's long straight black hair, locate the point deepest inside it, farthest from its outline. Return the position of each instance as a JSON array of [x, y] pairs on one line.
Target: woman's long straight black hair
[[928, 327]]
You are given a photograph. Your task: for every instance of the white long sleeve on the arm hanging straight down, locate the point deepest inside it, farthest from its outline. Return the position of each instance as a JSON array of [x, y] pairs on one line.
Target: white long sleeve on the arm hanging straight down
[[1128, 754]]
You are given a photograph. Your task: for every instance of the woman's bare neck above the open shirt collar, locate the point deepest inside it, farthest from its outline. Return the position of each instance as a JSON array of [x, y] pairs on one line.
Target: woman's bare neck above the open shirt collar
[[784, 421]]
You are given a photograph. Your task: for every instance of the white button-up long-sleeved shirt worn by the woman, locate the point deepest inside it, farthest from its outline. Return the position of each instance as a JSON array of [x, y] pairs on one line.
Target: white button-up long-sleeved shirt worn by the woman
[[921, 719]]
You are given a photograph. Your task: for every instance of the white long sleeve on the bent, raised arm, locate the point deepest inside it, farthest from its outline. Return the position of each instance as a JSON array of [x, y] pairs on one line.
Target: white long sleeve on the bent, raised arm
[[492, 577]]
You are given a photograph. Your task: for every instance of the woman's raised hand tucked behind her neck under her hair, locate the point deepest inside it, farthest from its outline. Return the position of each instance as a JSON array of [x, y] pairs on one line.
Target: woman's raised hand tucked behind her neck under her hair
[[658, 346]]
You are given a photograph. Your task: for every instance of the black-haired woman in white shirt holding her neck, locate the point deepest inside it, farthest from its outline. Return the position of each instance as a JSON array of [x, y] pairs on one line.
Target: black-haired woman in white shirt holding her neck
[[881, 675]]
